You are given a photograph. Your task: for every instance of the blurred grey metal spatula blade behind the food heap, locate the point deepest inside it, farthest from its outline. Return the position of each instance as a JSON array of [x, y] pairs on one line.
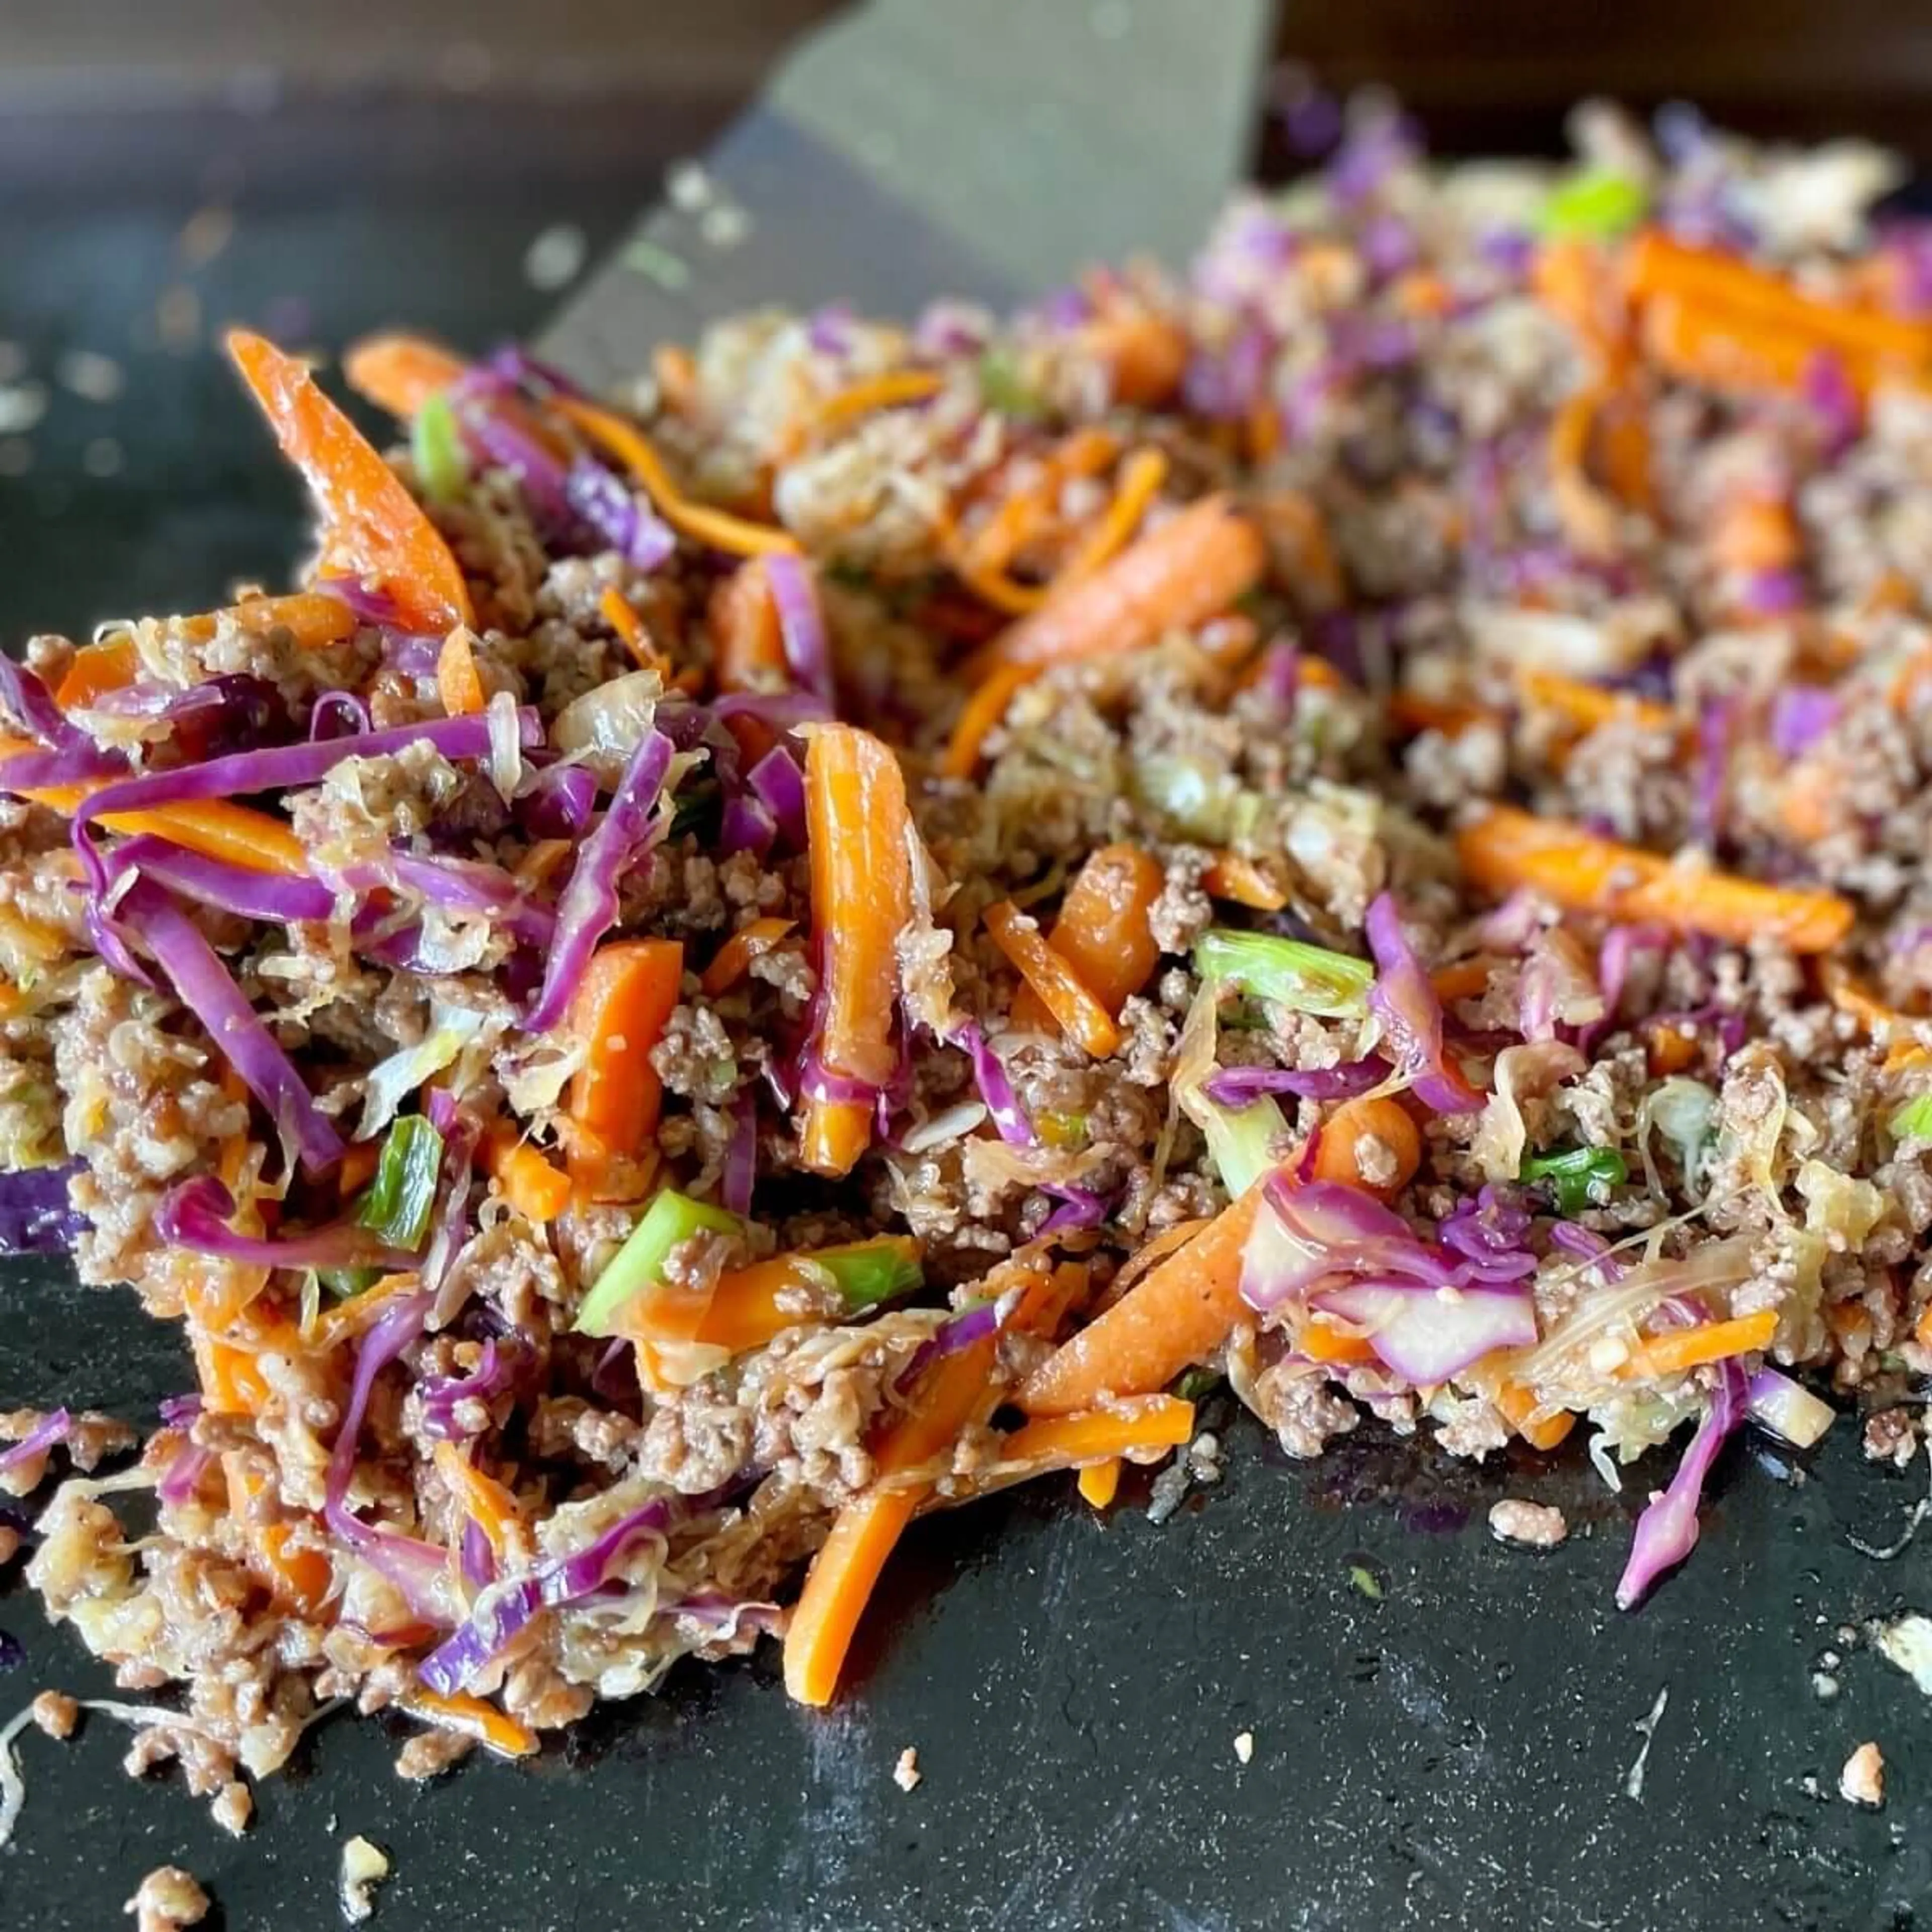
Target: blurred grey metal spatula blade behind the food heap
[[942, 148]]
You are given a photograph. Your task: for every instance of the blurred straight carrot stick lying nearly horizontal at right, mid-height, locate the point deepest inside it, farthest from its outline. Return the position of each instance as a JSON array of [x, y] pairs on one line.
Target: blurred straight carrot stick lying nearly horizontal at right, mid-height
[[1581, 872]]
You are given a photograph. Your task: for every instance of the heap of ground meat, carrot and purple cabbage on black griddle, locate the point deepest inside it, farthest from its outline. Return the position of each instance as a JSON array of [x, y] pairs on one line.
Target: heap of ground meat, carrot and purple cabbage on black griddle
[[865, 924]]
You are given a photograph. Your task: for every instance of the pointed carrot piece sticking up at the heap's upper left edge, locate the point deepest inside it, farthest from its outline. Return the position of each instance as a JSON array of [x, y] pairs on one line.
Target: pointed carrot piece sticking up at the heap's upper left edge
[[374, 528]]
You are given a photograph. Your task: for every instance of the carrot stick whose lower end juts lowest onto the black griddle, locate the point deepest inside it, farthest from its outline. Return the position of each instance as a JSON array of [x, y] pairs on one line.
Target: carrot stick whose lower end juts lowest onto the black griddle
[[865, 1533]]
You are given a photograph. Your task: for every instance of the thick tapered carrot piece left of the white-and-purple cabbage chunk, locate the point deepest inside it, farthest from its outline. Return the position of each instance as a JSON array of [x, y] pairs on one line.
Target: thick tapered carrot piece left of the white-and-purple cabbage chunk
[[1172, 1319]]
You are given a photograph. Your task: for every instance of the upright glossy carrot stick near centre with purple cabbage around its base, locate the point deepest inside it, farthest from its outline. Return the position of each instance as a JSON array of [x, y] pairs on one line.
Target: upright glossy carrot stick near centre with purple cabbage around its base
[[859, 834]]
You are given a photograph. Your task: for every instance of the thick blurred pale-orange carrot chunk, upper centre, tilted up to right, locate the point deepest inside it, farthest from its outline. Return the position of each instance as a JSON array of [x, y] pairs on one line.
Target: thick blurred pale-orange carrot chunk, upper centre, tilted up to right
[[1176, 577]]
